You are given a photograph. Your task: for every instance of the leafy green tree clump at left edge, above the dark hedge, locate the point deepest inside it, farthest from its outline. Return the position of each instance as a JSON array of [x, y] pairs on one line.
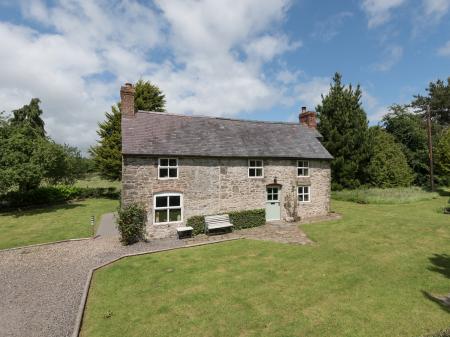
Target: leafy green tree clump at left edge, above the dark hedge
[[28, 156]]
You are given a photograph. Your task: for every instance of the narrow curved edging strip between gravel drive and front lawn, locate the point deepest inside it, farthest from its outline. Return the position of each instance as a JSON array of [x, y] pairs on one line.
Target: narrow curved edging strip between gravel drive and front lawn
[[87, 285]]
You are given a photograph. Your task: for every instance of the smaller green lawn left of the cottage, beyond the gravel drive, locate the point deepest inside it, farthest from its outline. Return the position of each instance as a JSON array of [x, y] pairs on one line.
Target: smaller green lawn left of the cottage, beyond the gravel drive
[[51, 223]]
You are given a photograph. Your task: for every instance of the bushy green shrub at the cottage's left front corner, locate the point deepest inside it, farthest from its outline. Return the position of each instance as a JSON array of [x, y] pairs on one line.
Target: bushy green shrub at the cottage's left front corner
[[131, 223]]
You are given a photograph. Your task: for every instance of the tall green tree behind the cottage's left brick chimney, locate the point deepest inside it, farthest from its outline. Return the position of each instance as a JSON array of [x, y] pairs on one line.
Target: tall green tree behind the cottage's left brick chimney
[[107, 154]]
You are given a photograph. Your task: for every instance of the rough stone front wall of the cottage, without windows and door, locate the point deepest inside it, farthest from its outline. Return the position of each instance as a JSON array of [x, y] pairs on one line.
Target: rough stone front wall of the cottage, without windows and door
[[217, 185]]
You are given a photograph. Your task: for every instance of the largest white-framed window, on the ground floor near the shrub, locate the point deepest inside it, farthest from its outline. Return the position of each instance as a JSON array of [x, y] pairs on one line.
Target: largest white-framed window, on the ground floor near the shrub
[[167, 208]]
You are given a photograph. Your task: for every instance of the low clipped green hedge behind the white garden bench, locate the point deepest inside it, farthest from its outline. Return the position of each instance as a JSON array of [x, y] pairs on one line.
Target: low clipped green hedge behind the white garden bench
[[240, 220]]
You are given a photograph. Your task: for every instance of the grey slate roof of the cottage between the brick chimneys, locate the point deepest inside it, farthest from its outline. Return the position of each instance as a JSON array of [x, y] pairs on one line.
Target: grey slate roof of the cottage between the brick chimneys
[[156, 133]]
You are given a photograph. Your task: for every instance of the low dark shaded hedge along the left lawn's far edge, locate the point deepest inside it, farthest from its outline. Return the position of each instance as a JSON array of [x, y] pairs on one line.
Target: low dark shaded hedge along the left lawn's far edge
[[54, 194]]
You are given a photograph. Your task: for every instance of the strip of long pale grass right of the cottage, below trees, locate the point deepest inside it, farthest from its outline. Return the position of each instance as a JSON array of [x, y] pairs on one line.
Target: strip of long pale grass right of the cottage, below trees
[[400, 195]]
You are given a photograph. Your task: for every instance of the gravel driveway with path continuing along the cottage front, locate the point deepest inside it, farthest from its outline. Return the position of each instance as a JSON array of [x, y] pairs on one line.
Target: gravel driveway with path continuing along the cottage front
[[41, 287]]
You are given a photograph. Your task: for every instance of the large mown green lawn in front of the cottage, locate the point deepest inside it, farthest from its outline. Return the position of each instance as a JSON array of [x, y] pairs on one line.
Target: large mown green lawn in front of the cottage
[[365, 276]]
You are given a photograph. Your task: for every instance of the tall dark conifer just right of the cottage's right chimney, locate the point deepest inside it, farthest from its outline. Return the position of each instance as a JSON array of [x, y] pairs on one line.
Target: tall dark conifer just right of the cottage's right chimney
[[344, 127]]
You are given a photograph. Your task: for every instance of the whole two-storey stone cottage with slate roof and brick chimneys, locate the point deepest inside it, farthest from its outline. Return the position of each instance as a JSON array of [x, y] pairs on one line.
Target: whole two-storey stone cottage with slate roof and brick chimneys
[[179, 166]]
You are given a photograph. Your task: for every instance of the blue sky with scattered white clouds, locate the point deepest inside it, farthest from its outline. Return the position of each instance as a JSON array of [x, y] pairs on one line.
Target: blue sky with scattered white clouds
[[252, 59]]
